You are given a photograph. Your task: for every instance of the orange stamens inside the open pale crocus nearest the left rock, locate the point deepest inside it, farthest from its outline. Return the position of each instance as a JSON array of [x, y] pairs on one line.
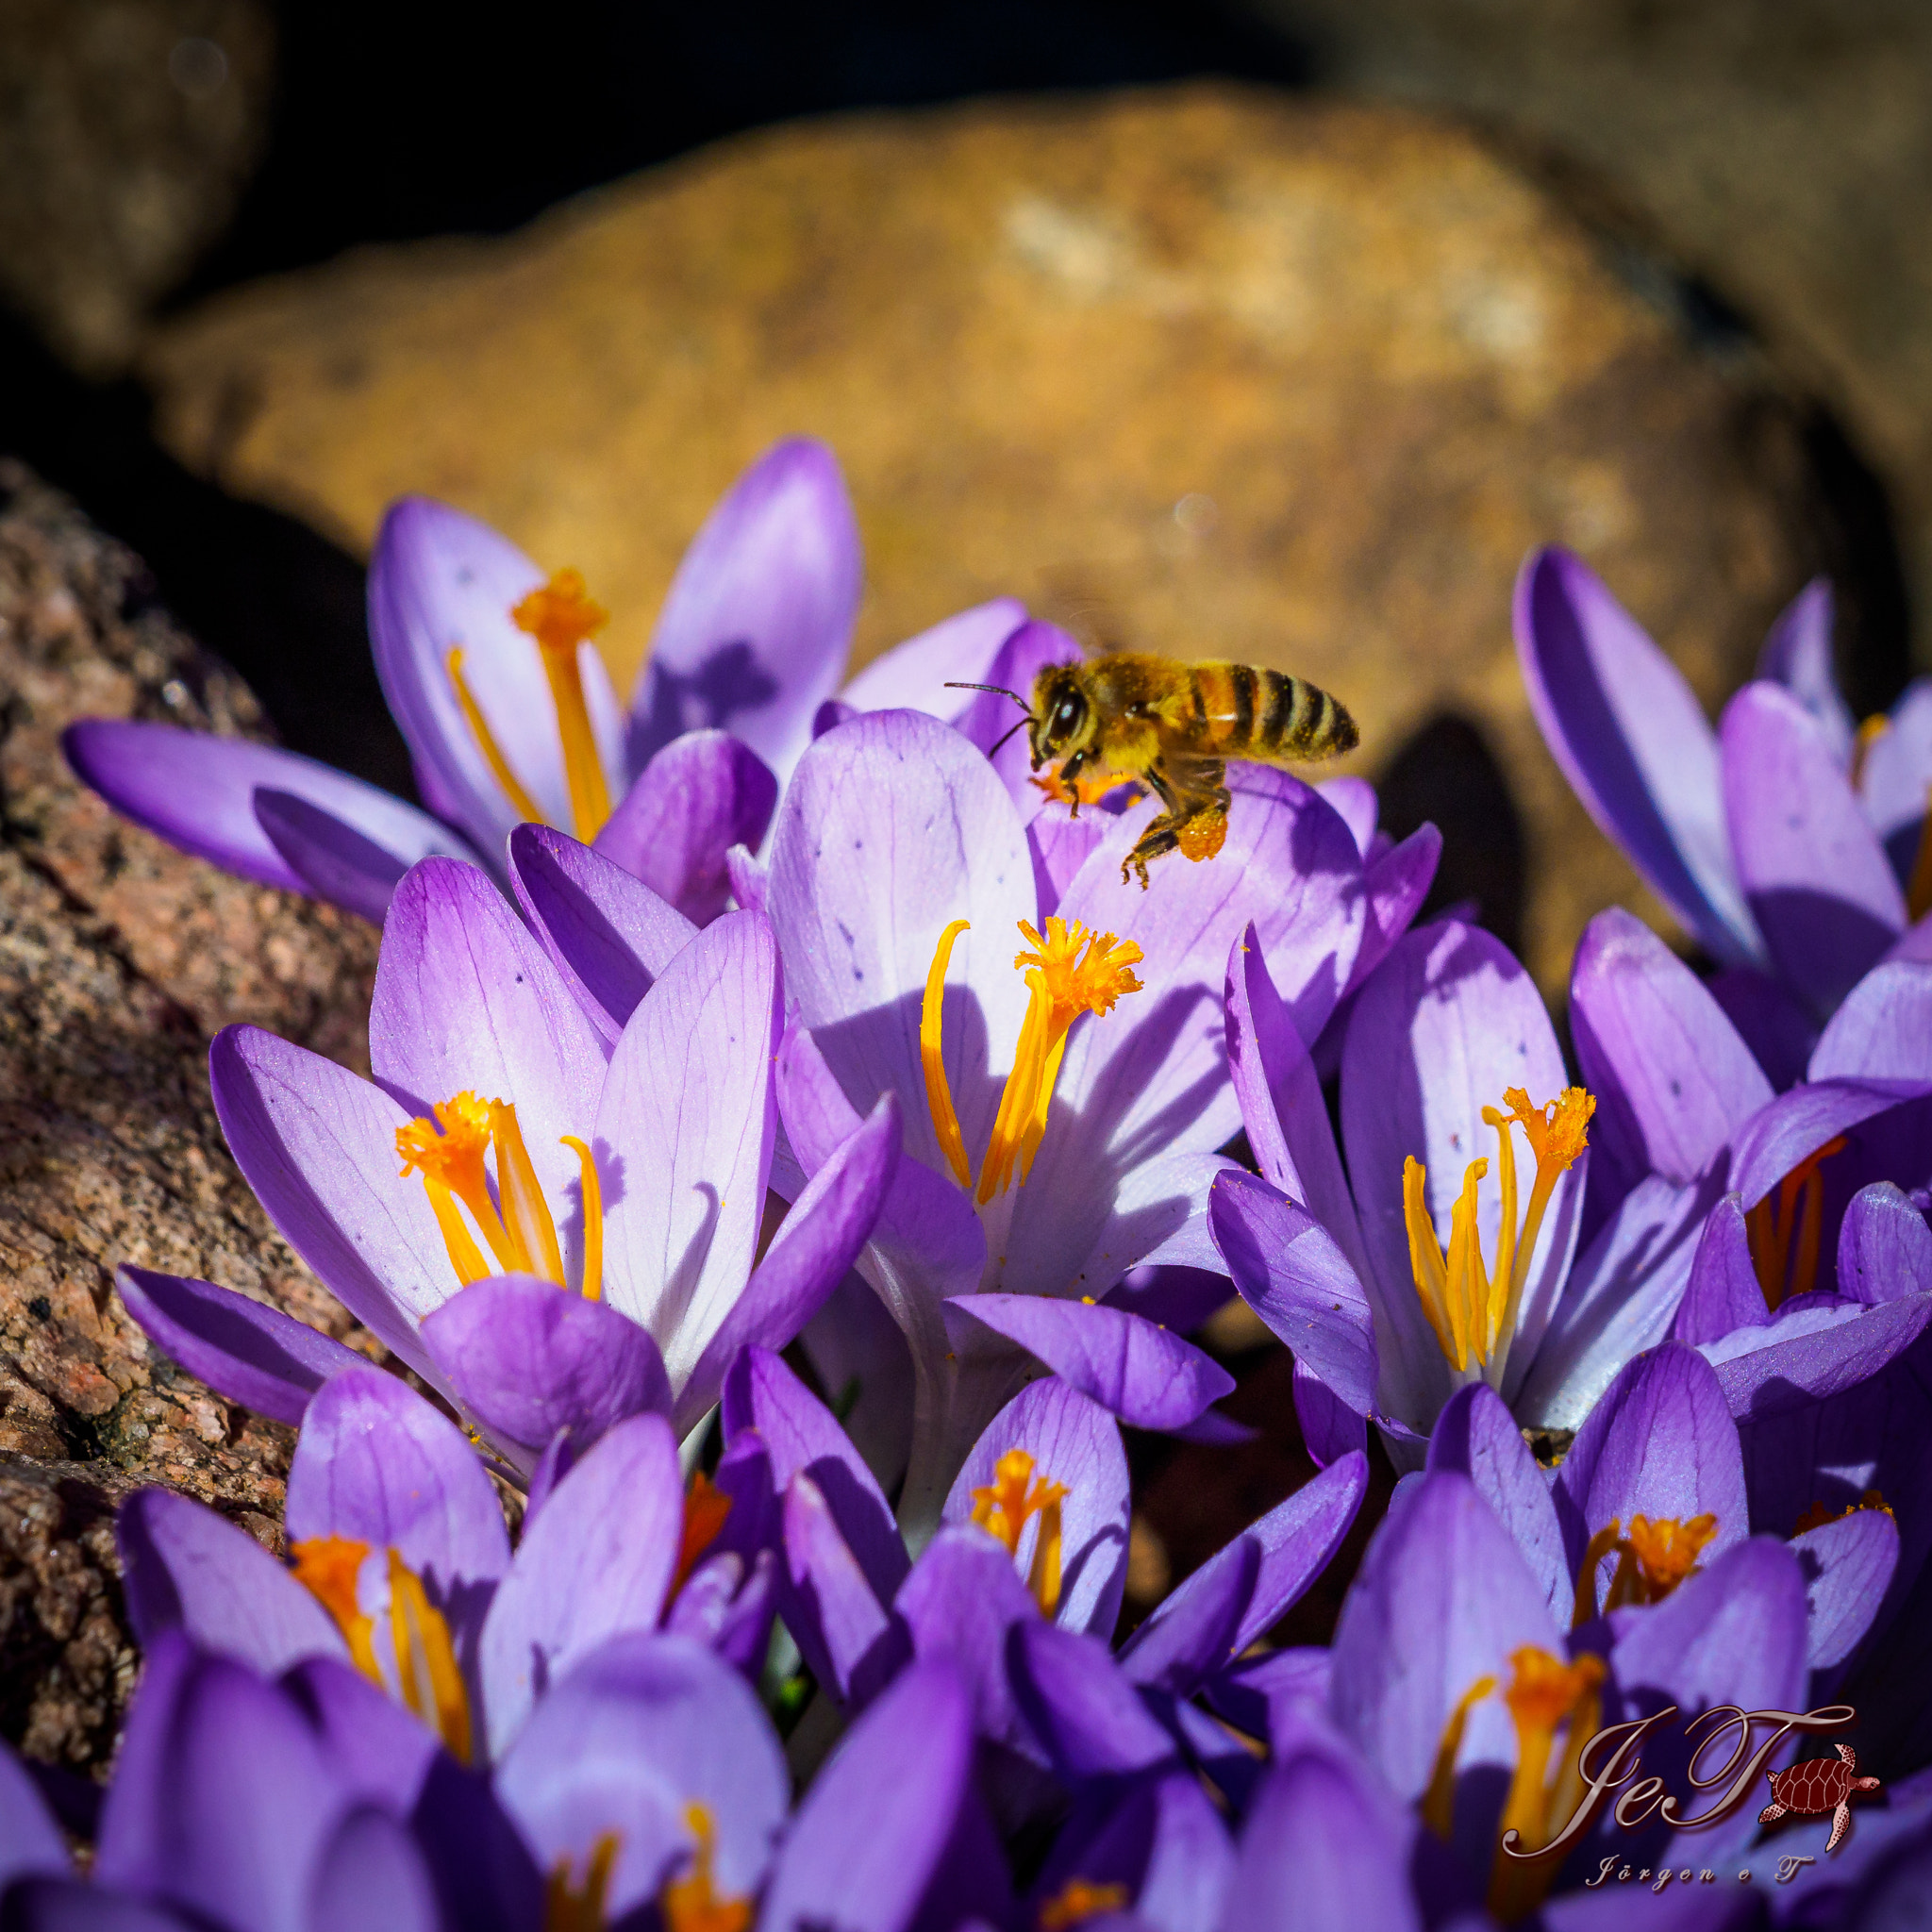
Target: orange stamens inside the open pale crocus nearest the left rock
[[517, 1224]]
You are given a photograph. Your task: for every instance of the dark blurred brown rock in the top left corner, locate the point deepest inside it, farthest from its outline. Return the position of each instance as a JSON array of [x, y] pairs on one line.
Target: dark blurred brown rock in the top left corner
[[127, 134]]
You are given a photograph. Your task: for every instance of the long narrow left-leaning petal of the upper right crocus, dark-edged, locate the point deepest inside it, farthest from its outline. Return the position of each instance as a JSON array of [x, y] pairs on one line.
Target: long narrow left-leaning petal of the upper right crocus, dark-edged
[[1634, 741]]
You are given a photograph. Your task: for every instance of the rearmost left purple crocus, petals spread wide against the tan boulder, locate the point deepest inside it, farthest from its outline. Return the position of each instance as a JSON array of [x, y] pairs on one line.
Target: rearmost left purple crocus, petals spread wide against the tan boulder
[[511, 716]]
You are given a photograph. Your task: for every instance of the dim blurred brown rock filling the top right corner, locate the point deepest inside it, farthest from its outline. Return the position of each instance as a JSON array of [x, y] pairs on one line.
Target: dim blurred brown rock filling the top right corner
[[1780, 148]]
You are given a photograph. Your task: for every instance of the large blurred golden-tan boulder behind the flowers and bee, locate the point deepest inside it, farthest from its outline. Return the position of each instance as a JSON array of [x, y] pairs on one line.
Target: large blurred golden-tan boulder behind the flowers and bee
[[1201, 370]]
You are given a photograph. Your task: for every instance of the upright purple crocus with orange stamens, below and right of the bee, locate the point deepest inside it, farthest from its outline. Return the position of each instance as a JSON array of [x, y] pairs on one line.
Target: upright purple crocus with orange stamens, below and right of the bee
[[1435, 1263]]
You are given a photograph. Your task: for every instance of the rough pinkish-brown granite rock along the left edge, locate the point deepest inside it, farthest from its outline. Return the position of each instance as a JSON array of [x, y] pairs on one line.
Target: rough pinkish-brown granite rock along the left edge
[[119, 959]]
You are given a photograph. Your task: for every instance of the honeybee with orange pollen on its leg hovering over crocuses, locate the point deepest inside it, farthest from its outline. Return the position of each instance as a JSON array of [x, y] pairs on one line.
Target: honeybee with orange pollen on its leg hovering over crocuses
[[1174, 727]]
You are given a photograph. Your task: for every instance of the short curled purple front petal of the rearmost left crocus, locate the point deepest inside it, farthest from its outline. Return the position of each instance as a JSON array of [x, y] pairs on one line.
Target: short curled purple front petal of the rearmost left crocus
[[700, 795]]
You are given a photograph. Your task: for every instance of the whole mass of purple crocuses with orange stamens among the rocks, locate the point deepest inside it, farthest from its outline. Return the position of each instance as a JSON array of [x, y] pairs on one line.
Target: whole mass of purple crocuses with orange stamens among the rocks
[[780, 1033]]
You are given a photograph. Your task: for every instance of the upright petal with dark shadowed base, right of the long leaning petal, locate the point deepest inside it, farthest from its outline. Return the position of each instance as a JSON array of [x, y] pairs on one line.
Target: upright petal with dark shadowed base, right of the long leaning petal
[[1811, 867]]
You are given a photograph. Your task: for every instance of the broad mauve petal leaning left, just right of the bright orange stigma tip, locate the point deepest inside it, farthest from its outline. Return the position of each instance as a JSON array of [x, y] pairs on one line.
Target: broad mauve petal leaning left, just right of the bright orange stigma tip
[[1672, 1079]]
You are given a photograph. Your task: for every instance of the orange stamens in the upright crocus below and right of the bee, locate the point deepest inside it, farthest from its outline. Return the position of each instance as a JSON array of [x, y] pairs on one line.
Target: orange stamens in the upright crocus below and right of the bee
[[1473, 1313]]
